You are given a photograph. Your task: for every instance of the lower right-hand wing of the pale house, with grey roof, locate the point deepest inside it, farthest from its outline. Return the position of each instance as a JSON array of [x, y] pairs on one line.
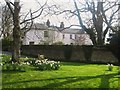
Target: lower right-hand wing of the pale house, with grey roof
[[72, 36]]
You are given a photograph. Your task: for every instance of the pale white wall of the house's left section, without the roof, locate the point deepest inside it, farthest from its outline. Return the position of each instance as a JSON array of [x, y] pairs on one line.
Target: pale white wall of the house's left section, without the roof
[[37, 36]]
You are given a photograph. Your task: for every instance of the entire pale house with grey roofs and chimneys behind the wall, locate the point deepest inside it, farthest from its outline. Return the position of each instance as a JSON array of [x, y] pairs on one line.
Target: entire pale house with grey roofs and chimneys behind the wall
[[45, 34]]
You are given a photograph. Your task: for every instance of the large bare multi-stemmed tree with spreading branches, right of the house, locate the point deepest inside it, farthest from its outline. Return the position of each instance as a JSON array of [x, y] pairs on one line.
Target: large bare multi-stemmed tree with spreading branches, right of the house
[[102, 13]]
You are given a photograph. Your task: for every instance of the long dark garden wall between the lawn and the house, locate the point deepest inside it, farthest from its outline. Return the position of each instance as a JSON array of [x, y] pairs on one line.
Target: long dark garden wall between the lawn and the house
[[70, 53]]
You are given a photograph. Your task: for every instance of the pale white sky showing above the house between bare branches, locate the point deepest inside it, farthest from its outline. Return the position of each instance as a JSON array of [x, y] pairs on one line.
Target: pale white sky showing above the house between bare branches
[[55, 20]]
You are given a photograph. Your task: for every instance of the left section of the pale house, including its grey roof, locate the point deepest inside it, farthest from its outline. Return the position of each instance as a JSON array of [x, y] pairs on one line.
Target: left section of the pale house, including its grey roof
[[41, 34]]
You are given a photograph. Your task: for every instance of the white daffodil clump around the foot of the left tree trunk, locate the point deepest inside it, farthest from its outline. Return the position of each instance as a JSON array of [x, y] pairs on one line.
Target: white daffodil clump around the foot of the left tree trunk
[[7, 65]]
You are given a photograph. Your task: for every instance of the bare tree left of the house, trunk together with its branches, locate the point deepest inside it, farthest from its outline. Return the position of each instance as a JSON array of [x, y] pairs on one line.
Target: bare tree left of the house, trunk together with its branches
[[17, 30]]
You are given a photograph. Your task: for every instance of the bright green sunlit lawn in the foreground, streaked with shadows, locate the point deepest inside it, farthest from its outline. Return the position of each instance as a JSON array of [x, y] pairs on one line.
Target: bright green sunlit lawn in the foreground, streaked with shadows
[[70, 75]]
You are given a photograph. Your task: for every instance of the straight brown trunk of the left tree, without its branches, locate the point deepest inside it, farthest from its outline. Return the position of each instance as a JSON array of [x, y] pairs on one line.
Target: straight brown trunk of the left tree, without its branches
[[16, 33]]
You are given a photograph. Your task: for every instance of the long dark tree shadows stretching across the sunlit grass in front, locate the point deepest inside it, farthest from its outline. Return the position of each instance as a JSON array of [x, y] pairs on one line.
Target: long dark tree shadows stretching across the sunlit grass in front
[[68, 80]]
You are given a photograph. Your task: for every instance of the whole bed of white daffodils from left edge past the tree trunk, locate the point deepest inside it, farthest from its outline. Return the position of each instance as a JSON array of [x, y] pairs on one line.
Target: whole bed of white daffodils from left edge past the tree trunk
[[41, 63]]
